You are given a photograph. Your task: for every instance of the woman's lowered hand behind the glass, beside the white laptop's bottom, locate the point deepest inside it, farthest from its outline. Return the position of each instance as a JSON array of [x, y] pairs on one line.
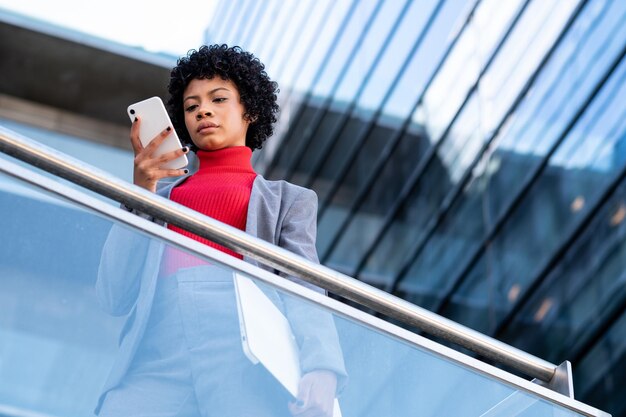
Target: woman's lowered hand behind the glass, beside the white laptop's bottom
[[316, 395]]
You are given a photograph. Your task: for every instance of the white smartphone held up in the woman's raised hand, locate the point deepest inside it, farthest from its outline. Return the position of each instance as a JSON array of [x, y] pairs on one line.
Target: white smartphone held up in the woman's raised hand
[[154, 120]]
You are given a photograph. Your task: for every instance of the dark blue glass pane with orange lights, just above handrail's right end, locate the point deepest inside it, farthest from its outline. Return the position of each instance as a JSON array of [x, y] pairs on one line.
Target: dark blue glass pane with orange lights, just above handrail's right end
[[578, 291]]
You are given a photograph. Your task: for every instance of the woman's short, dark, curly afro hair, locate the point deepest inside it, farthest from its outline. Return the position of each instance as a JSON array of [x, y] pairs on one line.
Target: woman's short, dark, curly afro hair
[[257, 92]]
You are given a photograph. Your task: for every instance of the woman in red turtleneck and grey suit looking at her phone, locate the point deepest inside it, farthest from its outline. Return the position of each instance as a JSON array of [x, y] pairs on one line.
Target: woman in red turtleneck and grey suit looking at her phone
[[223, 106]]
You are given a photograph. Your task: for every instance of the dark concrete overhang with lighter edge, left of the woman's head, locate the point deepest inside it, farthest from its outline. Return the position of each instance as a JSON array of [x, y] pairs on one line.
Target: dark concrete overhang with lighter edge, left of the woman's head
[[73, 72]]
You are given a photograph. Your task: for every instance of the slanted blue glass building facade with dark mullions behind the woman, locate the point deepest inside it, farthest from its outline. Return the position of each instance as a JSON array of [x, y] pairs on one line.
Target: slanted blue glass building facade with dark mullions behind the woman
[[468, 155]]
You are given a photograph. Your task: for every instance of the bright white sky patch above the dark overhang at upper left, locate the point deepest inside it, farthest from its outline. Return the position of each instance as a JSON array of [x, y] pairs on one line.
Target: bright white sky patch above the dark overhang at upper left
[[154, 25]]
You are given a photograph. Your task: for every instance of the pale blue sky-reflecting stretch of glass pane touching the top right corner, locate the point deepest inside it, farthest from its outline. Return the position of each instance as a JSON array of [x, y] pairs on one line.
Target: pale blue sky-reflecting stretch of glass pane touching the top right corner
[[565, 83]]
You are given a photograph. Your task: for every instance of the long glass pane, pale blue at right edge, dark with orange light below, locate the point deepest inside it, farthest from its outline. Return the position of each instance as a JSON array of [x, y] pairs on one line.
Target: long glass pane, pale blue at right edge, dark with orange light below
[[556, 203]]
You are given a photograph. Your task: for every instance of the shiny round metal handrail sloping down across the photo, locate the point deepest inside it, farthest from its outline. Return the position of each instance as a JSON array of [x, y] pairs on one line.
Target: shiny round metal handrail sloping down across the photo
[[71, 169]]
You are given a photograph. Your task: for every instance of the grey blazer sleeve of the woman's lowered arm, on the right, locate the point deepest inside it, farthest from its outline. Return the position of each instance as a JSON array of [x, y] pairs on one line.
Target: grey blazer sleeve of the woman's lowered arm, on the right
[[313, 327]]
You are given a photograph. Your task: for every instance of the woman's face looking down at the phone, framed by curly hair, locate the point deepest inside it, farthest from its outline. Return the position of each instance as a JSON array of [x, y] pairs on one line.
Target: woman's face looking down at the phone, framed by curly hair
[[214, 114]]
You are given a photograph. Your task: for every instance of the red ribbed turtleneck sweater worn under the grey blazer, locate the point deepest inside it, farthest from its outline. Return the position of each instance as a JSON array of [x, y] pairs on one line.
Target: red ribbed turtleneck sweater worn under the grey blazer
[[220, 189]]
